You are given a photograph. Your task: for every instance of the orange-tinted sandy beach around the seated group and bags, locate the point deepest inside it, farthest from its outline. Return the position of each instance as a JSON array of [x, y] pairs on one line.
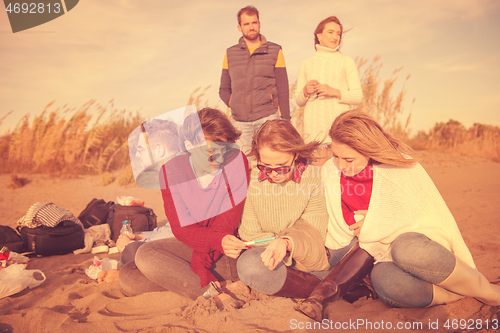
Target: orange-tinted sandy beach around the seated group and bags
[[70, 301]]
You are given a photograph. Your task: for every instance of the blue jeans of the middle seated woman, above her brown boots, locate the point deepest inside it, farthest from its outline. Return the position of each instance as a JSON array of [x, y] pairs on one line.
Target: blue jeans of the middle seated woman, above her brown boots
[[253, 272]]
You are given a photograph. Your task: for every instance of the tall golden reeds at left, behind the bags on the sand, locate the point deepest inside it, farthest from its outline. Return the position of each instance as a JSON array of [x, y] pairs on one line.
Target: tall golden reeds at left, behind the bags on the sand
[[53, 143]]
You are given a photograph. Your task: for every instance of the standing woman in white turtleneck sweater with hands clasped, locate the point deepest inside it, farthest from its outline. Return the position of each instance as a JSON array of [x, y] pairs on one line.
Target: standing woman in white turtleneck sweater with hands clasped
[[328, 82]]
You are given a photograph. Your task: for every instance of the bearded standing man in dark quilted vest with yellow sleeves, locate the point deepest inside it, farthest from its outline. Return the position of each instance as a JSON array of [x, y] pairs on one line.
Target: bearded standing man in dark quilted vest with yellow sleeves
[[254, 83]]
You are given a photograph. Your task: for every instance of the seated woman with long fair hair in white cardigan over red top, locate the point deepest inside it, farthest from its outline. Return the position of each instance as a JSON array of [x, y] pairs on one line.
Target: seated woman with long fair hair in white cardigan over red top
[[420, 256]]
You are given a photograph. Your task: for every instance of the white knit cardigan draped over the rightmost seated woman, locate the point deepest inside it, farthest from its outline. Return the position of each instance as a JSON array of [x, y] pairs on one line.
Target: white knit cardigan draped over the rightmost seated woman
[[404, 199]]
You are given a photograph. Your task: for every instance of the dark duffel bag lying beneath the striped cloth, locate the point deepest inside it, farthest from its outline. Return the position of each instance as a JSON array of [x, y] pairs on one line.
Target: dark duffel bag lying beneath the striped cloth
[[65, 237]]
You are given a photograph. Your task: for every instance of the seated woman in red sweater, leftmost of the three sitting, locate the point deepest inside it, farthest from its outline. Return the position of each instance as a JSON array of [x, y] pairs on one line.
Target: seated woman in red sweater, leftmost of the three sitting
[[203, 193]]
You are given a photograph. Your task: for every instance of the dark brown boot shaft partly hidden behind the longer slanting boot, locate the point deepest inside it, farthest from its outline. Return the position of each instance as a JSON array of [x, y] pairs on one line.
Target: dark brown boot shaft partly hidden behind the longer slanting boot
[[298, 284]]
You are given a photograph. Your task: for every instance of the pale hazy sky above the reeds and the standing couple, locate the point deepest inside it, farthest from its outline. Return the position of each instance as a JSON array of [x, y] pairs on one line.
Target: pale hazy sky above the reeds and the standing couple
[[149, 55]]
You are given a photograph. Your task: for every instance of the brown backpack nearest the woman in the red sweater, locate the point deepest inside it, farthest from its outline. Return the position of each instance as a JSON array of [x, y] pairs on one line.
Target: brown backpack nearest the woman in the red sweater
[[140, 219]]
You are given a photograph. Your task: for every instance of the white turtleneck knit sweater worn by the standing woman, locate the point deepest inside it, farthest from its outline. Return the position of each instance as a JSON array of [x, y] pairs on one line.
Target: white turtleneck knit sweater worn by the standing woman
[[338, 71]]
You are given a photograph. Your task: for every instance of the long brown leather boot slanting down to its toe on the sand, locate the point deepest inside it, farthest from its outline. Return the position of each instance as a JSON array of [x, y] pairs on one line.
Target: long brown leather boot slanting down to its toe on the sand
[[350, 271]]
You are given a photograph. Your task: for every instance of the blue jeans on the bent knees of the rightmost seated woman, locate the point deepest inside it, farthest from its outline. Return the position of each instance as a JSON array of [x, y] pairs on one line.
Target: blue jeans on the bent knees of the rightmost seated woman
[[418, 263]]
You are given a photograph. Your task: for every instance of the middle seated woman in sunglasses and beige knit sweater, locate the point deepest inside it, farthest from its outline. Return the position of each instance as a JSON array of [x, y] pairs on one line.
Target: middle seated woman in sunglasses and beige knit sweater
[[284, 200]]
